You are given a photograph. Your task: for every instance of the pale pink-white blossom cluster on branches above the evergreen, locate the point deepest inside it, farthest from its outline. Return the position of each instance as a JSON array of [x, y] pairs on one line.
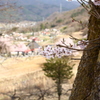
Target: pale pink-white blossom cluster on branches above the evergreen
[[56, 51]]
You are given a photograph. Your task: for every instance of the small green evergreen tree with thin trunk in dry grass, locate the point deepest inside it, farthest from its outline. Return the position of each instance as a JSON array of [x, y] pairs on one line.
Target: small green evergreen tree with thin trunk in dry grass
[[59, 70]]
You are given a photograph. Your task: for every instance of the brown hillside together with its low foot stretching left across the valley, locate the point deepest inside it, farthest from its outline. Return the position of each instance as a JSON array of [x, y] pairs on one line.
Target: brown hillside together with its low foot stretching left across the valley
[[61, 21]]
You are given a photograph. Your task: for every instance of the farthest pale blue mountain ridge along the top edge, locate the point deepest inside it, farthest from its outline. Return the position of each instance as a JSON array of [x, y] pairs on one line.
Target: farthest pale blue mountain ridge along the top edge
[[65, 4]]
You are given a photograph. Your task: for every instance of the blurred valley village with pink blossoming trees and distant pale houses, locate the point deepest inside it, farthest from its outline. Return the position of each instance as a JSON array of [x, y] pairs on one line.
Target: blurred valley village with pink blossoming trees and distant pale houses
[[22, 44]]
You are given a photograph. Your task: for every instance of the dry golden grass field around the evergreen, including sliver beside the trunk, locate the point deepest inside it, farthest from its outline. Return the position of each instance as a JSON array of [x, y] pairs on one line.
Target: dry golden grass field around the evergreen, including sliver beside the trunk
[[13, 75]]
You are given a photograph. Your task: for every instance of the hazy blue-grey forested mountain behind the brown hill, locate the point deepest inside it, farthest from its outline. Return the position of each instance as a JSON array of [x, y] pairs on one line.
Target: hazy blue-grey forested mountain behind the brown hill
[[35, 10]]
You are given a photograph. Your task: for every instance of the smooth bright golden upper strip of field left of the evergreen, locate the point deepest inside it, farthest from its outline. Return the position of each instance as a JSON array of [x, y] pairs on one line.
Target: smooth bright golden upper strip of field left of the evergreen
[[19, 66]]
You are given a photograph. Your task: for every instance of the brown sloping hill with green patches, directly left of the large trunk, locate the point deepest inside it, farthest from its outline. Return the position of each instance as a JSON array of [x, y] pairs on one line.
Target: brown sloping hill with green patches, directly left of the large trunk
[[63, 21]]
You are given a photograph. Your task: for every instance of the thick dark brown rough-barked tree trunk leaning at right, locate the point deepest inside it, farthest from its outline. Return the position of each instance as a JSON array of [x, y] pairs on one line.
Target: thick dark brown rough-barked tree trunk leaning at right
[[87, 83]]
